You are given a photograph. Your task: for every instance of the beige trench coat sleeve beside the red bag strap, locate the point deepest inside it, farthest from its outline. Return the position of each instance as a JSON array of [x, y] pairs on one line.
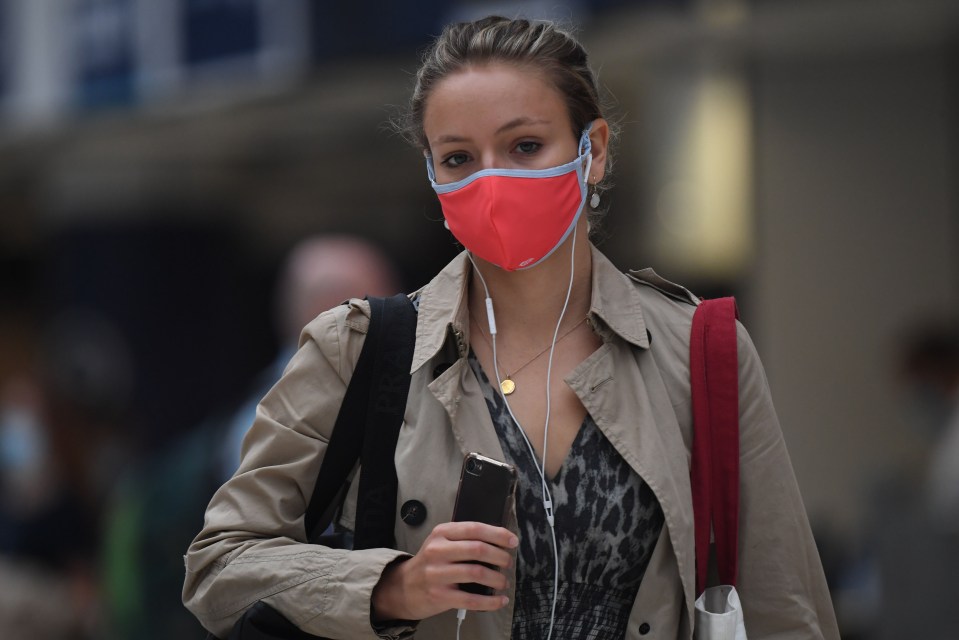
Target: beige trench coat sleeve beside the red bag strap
[[781, 581]]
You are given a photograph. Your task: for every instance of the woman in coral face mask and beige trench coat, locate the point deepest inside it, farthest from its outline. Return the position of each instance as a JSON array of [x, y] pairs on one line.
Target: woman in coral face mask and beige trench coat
[[578, 375]]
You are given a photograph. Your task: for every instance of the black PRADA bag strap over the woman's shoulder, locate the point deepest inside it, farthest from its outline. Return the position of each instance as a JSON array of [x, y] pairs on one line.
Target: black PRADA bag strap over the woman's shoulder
[[374, 403]]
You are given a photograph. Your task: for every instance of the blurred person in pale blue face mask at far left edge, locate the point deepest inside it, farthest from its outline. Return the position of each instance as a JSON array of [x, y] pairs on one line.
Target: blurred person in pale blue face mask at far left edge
[[62, 447]]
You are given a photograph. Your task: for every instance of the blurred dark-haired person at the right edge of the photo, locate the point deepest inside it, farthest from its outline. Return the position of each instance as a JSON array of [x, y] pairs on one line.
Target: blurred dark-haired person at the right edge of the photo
[[899, 582]]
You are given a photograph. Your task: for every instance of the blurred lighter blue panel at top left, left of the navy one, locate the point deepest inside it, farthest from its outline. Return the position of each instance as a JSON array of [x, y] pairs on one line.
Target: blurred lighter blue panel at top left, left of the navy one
[[103, 50]]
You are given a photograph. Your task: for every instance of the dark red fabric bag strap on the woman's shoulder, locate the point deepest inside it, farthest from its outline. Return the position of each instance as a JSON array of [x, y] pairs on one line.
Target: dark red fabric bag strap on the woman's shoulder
[[714, 473]]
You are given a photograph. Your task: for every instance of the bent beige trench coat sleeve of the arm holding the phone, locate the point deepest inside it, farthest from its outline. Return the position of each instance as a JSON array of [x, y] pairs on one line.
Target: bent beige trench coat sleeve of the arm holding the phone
[[252, 546]]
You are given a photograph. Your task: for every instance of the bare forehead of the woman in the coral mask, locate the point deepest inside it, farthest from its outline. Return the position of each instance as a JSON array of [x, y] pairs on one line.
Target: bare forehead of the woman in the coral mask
[[483, 98]]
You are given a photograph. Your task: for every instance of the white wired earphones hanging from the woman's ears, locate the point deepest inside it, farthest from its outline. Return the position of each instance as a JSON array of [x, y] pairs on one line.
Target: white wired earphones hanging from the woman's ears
[[540, 466]]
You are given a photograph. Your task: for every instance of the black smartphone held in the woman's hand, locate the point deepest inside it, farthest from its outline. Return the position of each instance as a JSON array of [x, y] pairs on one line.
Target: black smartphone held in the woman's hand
[[486, 486]]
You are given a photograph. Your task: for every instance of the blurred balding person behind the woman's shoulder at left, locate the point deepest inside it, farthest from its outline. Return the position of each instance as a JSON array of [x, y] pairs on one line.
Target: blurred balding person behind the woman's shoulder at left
[[156, 512]]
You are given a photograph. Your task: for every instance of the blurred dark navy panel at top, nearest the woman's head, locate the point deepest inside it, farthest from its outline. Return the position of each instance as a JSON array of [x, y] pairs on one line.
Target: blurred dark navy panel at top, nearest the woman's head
[[216, 29]]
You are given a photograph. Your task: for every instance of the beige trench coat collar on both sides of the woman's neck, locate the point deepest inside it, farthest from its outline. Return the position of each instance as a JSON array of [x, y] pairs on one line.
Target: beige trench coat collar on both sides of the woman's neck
[[615, 308]]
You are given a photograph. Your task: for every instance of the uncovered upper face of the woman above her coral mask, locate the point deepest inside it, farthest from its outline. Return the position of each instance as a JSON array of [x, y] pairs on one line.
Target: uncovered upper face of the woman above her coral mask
[[498, 116]]
